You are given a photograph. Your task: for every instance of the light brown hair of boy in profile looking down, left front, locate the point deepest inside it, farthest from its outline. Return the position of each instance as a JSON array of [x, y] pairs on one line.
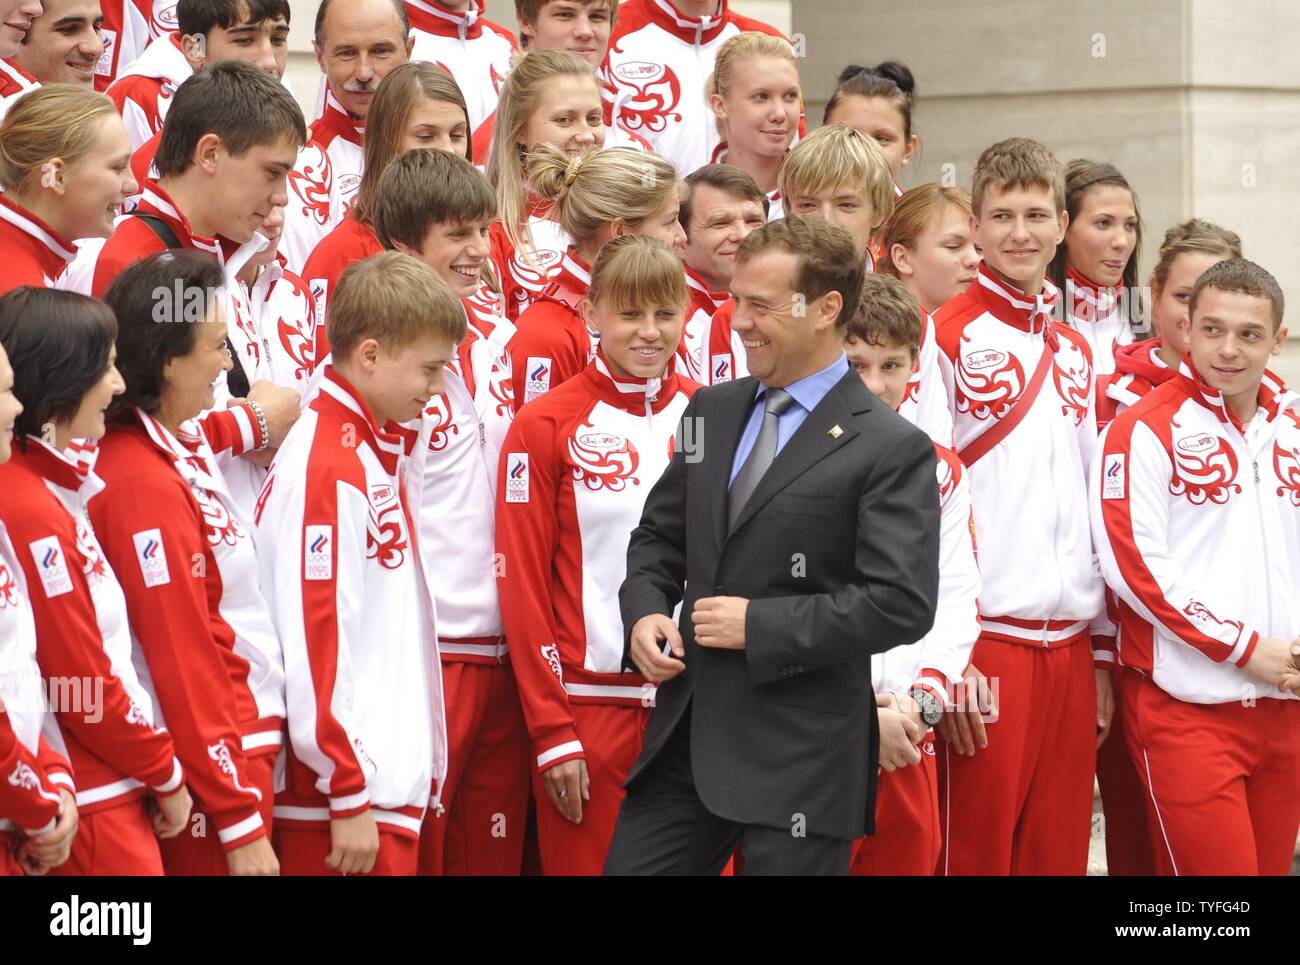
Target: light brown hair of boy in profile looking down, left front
[[395, 300]]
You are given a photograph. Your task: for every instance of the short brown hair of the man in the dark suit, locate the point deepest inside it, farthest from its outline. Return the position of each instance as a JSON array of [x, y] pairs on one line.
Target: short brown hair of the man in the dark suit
[[829, 261]]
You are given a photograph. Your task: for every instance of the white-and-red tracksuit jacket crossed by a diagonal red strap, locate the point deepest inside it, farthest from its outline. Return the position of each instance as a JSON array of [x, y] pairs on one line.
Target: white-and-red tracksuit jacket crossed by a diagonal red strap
[[1041, 585]]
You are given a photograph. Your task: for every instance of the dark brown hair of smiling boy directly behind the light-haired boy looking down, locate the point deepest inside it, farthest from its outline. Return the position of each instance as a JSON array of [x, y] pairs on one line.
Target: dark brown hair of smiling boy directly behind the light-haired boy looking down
[[427, 188]]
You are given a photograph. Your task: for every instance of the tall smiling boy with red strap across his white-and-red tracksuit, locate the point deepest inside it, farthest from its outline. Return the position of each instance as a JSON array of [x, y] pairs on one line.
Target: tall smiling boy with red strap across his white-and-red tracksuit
[[1025, 426]]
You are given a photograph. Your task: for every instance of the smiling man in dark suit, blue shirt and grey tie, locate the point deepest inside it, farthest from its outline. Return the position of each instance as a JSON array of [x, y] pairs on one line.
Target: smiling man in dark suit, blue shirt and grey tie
[[800, 522]]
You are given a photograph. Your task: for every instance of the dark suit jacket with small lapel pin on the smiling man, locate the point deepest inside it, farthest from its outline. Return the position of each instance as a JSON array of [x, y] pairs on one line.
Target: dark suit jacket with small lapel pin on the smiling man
[[838, 552]]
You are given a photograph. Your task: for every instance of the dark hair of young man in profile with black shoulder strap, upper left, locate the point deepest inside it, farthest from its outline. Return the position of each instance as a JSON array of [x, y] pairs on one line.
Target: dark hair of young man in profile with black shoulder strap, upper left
[[242, 105]]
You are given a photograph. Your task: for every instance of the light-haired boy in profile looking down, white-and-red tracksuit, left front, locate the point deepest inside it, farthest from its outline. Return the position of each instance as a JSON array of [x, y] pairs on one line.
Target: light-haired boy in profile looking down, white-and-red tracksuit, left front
[[346, 585]]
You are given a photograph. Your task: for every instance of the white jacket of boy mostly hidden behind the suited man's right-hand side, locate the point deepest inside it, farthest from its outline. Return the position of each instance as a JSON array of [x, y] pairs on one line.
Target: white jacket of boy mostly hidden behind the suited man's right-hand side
[[938, 661]]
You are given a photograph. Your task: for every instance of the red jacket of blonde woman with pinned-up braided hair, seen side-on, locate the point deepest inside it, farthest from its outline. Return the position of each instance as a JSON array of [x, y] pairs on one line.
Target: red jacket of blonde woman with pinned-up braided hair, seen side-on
[[552, 343]]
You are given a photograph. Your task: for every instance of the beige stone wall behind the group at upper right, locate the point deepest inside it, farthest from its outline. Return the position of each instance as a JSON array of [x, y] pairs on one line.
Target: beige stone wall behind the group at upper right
[[1198, 102]]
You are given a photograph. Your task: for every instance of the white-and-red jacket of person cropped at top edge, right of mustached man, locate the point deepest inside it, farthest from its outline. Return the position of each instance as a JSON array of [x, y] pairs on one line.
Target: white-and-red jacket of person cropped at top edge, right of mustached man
[[474, 50]]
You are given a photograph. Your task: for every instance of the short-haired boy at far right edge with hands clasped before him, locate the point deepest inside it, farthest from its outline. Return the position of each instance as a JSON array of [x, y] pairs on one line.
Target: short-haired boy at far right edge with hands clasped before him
[[1202, 474]]
